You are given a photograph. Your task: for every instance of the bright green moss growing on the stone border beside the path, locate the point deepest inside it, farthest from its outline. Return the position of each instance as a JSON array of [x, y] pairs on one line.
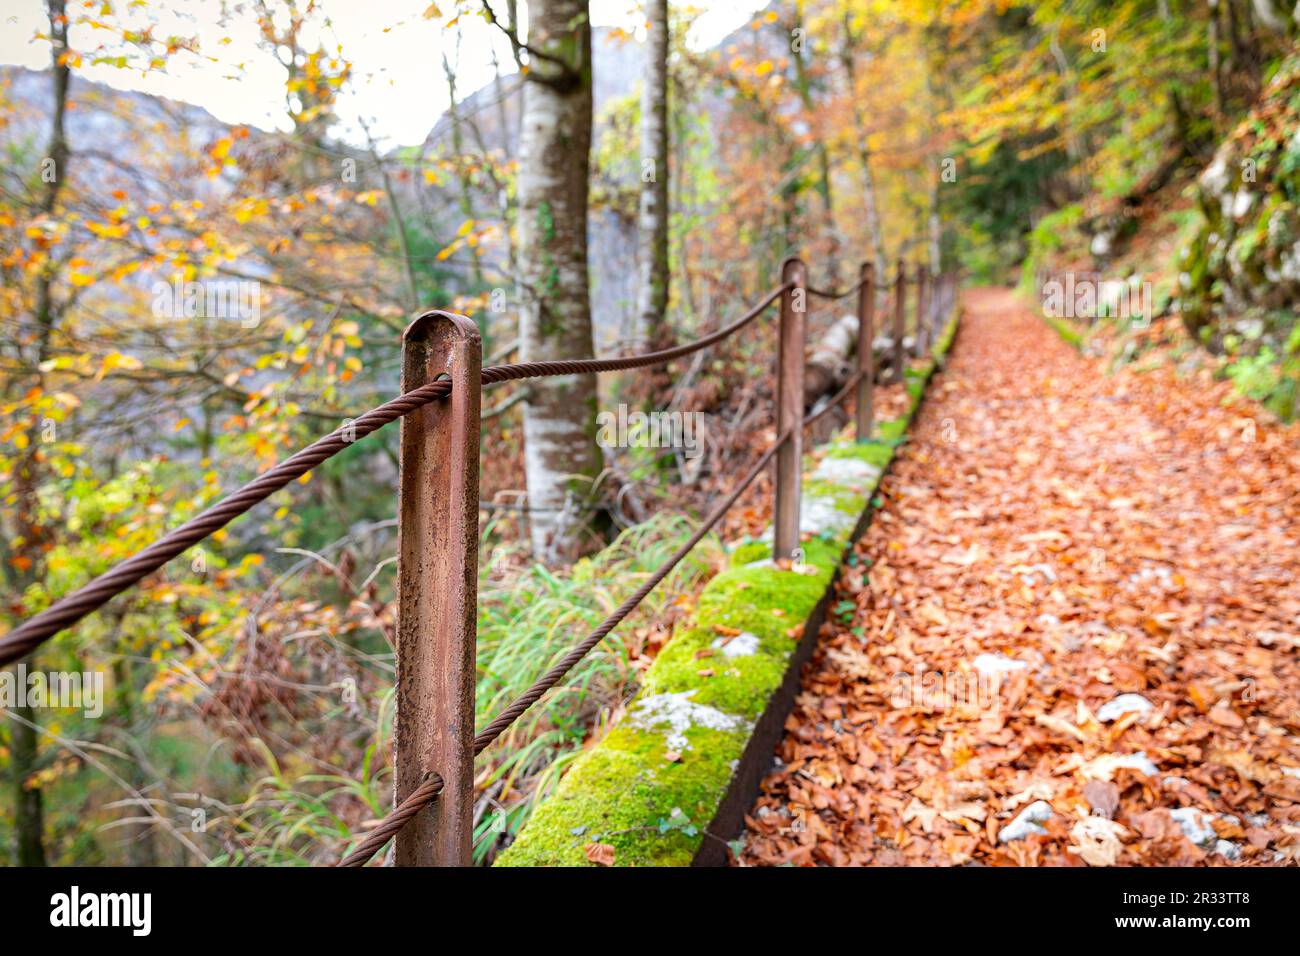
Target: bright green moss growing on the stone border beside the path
[[626, 791]]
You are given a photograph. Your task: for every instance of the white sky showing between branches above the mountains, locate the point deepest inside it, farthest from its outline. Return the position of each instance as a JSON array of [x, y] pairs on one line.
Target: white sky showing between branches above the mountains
[[398, 85]]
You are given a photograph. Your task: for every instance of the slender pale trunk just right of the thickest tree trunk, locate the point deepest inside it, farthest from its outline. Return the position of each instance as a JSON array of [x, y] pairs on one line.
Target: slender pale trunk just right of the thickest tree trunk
[[653, 215]]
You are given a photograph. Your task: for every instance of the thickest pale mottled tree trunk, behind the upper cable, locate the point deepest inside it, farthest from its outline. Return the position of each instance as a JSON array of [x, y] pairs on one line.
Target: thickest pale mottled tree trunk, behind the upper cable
[[561, 456]]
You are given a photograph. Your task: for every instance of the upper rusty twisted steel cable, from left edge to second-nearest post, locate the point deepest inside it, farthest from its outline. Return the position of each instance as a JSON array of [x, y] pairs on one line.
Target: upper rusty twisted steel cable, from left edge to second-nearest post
[[72, 608]]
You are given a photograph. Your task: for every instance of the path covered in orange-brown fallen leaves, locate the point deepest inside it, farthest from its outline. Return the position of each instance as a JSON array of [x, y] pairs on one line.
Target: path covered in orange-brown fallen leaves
[[1120, 557]]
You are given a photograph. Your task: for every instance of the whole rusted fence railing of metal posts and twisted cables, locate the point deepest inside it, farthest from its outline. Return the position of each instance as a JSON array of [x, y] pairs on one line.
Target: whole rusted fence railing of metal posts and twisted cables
[[435, 739]]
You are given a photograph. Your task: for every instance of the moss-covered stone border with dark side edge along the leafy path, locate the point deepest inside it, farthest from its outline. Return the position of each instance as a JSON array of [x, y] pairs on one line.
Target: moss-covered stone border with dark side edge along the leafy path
[[671, 782]]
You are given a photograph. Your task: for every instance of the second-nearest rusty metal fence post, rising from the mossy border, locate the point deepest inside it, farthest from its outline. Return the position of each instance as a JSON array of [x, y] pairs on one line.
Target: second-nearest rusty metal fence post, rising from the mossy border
[[790, 409]]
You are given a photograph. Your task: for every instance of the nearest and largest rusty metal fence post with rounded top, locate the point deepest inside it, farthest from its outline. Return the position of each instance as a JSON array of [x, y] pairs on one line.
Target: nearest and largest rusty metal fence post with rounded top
[[439, 590]]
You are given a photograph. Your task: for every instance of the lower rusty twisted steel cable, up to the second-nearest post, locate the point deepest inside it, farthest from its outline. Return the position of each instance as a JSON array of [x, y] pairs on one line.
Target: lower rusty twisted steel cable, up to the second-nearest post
[[426, 795]]
